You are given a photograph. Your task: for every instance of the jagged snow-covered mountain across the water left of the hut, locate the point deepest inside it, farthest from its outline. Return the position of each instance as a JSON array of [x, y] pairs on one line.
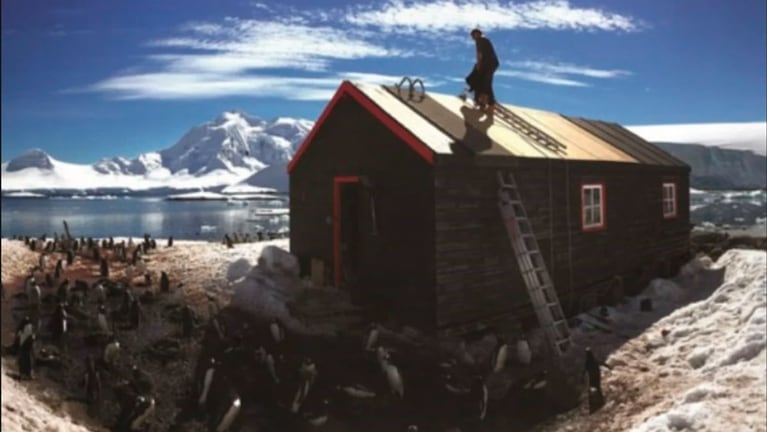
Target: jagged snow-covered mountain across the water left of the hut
[[222, 152]]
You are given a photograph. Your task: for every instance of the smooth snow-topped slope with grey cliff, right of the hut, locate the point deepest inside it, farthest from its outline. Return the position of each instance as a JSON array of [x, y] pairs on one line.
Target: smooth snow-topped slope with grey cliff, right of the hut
[[721, 155]]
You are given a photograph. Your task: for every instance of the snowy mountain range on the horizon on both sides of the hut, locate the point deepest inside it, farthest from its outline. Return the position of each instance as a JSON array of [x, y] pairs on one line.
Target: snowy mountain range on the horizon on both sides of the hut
[[239, 153]]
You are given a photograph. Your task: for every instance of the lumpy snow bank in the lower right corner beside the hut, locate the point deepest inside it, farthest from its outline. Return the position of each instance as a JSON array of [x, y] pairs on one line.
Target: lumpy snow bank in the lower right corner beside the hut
[[699, 367]]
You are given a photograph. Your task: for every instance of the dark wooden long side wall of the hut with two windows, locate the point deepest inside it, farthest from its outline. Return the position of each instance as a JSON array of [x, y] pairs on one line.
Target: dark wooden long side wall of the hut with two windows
[[476, 273]]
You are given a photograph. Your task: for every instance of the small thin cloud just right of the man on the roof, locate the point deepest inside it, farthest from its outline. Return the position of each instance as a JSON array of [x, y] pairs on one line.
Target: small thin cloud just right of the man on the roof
[[559, 74]]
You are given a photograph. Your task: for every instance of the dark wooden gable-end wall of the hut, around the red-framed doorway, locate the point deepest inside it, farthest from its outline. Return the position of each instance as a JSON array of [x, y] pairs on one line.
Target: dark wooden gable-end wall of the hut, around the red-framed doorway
[[398, 263]]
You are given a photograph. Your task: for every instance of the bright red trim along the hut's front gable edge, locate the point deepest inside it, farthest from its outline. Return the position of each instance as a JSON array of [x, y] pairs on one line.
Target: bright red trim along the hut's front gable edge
[[348, 89]]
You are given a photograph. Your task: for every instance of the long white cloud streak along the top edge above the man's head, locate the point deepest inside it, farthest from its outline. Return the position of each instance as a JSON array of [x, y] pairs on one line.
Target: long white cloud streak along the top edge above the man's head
[[456, 15]]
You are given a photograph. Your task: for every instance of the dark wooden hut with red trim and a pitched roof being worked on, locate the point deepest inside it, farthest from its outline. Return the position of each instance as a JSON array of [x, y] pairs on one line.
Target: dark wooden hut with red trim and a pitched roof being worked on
[[395, 192]]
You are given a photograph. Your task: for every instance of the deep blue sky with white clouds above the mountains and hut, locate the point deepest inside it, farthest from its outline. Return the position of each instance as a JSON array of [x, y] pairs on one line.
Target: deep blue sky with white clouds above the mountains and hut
[[92, 78]]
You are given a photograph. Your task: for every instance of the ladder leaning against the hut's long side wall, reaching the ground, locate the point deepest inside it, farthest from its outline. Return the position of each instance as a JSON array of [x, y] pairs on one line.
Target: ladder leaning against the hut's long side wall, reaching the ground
[[534, 272]]
